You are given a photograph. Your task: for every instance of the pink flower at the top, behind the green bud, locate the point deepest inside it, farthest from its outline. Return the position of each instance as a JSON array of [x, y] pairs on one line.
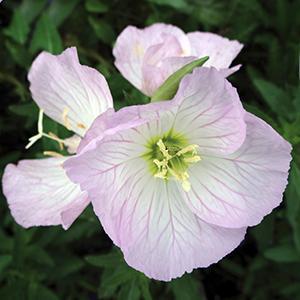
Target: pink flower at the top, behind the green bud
[[147, 57]]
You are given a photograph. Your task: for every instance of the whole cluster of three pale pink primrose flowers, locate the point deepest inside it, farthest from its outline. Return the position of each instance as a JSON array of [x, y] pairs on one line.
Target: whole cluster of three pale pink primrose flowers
[[175, 184]]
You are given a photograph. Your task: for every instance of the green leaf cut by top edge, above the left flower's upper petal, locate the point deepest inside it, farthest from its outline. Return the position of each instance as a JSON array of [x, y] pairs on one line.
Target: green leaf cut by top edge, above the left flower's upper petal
[[60, 10]]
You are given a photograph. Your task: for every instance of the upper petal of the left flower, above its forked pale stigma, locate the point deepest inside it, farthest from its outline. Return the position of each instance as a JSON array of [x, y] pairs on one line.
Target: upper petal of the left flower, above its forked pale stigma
[[70, 93]]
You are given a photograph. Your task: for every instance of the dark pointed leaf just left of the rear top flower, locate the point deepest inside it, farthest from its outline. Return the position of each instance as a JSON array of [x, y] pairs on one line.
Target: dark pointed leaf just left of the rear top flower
[[103, 30]]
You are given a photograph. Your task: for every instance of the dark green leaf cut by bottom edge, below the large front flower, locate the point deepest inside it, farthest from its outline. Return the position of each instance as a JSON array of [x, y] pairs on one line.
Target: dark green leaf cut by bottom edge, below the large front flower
[[186, 288]]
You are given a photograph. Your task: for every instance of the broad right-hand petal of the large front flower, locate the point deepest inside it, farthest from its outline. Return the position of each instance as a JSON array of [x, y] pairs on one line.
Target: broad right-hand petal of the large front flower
[[241, 188]]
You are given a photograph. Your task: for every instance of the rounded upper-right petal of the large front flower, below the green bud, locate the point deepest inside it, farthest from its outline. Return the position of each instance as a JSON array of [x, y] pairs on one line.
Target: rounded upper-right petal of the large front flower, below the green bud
[[210, 113]]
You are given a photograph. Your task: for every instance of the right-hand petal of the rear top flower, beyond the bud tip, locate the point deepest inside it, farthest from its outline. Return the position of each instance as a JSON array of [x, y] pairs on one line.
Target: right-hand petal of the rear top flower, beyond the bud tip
[[221, 51]]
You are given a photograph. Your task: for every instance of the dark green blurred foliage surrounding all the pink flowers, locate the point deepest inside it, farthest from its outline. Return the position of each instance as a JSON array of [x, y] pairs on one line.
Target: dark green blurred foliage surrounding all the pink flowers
[[81, 263]]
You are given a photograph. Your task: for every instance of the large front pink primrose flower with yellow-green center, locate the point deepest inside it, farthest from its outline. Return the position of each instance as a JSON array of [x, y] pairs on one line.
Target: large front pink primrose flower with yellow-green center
[[175, 184]]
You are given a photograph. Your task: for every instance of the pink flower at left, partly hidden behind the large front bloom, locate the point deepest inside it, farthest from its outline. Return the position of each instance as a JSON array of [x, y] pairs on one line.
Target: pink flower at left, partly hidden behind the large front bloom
[[38, 191]]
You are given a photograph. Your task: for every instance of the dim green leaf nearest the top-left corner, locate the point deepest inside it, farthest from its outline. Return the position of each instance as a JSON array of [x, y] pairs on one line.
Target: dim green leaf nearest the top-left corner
[[18, 29]]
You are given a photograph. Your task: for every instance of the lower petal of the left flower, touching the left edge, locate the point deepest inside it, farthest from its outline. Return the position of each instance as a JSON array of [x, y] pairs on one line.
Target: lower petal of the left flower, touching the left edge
[[39, 193]]
